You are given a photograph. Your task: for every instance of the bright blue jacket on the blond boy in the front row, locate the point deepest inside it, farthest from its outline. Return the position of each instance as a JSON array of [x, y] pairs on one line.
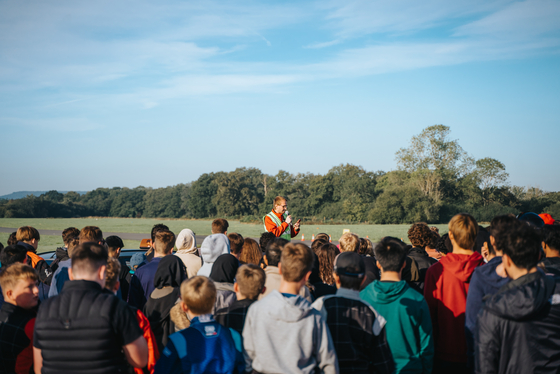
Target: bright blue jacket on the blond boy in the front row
[[204, 347]]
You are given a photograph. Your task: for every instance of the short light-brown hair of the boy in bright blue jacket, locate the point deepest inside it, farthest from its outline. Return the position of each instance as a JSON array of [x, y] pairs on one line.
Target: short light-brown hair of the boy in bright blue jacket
[[198, 294]]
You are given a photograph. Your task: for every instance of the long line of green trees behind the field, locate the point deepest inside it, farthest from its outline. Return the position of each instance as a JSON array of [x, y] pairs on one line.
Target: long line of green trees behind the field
[[435, 179]]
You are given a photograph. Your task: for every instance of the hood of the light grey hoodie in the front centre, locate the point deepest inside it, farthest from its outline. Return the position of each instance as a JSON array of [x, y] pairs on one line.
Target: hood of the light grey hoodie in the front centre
[[287, 309]]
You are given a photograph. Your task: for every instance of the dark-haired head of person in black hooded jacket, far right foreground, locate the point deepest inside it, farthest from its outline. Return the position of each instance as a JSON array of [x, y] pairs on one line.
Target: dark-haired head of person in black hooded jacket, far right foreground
[[522, 250]]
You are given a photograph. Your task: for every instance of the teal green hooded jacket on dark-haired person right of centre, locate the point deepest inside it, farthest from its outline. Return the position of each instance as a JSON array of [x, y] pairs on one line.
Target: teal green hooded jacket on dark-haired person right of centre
[[409, 326]]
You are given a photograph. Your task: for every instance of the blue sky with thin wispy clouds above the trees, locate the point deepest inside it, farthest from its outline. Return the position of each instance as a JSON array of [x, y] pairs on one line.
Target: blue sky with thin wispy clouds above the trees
[[104, 93]]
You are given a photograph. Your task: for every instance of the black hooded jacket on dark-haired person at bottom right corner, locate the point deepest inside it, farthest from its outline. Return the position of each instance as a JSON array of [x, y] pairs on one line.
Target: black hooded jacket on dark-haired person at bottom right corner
[[518, 329]]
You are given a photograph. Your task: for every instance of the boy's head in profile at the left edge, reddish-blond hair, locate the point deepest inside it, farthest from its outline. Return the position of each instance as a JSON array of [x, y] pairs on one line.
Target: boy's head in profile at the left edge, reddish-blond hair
[[19, 285]]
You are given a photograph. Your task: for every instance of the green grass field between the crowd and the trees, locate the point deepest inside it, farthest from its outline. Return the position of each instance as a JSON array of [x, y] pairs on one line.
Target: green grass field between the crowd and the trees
[[200, 227]]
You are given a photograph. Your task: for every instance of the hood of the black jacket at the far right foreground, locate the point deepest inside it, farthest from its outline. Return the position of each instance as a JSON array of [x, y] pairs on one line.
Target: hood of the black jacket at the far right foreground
[[522, 298]]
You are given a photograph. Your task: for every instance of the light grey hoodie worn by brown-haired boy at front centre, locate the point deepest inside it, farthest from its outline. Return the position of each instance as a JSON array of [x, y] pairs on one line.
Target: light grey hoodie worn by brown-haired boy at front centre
[[286, 335]]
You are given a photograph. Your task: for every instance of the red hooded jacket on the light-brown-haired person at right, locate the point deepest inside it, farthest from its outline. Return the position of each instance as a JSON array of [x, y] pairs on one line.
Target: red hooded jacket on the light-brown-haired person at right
[[445, 291]]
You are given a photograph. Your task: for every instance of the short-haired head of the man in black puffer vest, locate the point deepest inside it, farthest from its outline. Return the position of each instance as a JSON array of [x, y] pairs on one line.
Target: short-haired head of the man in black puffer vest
[[89, 262]]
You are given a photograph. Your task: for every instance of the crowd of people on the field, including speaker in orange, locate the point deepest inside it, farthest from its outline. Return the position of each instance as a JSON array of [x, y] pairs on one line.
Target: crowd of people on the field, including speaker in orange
[[474, 300]]
